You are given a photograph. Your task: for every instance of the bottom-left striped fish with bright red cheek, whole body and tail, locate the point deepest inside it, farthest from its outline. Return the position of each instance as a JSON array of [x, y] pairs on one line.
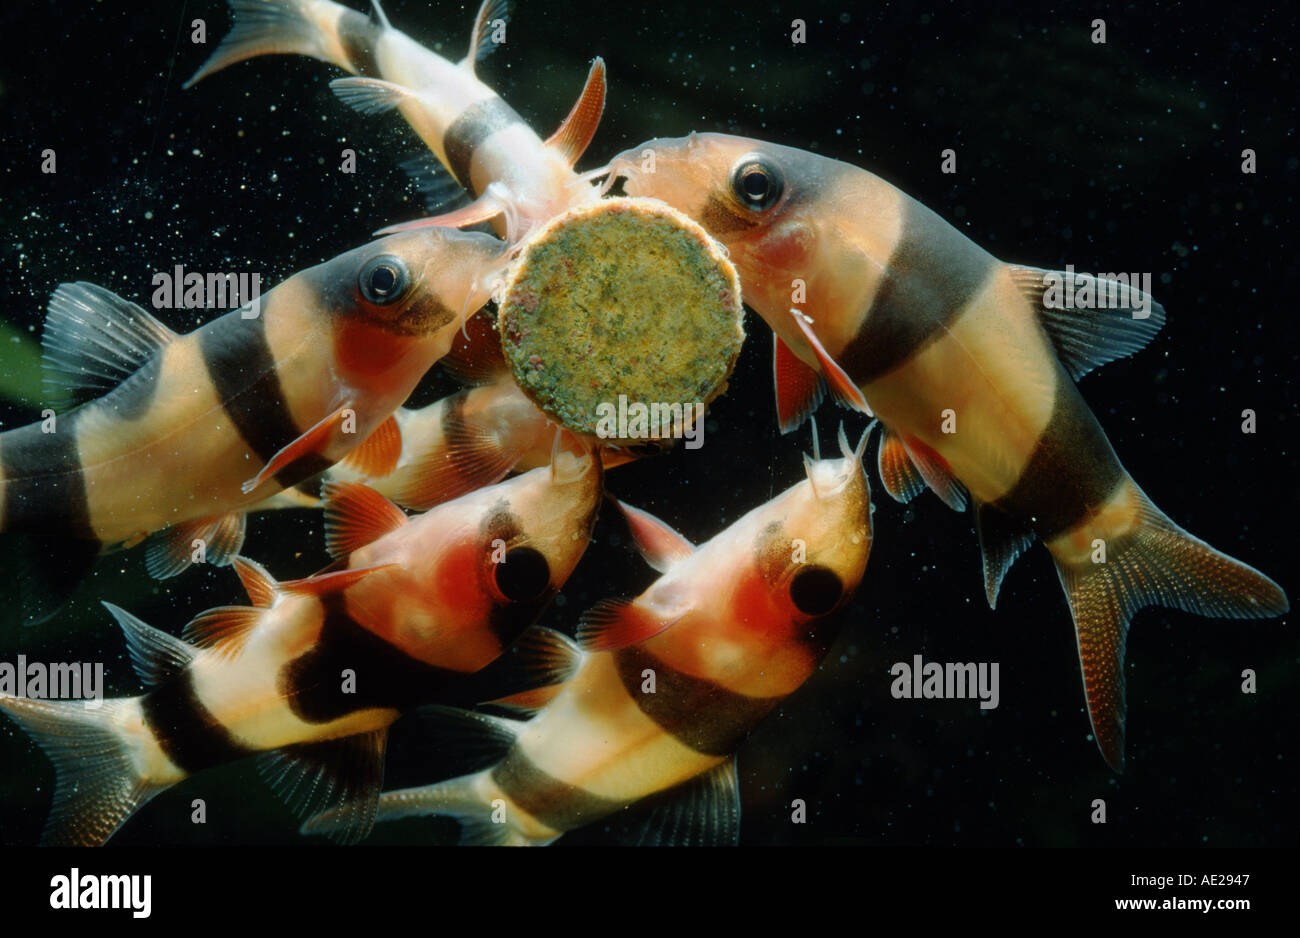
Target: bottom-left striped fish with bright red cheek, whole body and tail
[[313, 676]]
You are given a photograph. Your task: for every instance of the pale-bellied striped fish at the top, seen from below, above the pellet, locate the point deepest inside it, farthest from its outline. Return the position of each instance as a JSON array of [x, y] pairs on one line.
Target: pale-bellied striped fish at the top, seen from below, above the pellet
[[471, 131]]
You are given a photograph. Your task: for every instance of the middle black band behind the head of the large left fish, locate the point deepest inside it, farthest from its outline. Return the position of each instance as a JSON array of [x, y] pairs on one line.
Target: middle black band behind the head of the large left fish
[[244, 374]]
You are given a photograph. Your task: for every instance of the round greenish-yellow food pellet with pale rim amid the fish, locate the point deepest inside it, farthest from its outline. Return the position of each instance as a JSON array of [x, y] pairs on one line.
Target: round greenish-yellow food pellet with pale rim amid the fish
[[619, 305]]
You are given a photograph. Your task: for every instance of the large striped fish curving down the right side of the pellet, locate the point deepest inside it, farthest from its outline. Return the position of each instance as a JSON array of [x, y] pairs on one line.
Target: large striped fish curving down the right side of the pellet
[[970, 371]]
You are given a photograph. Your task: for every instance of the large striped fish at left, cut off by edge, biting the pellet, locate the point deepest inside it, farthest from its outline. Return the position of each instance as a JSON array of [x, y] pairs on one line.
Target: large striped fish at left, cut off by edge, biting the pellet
[[287, 388]]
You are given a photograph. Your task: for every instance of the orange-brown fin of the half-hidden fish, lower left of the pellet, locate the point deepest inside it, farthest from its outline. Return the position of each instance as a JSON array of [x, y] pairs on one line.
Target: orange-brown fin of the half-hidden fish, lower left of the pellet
[[469, 458]]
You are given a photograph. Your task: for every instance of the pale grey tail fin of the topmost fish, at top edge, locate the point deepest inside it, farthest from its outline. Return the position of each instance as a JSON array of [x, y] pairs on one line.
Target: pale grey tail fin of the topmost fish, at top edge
[[262, 28]]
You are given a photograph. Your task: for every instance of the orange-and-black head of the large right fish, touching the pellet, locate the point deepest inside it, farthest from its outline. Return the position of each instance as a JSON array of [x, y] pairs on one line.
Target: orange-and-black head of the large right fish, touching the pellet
[[781, 212]]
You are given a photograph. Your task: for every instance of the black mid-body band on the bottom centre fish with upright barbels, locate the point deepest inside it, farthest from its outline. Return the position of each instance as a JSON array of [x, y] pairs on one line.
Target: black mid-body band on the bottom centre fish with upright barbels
[[697, 713]]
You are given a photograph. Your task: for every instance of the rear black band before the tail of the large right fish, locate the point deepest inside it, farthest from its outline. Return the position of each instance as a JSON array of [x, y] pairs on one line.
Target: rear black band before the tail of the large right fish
[[1071, 474]]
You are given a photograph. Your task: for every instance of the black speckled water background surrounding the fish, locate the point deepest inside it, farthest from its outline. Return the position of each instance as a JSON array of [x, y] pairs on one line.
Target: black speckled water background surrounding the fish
[[1124, 157]]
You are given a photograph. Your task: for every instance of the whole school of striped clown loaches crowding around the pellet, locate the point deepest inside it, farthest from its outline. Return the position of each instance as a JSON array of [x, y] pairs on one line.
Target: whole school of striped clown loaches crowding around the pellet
[[453, 526]]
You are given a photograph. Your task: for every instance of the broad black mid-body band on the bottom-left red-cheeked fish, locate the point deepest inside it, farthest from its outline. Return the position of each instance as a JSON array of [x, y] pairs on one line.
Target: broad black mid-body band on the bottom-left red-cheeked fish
[[385, 678]]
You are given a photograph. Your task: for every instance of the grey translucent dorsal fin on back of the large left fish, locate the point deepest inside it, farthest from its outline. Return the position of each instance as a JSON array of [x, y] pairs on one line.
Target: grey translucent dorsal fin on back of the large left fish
[[94, 341]]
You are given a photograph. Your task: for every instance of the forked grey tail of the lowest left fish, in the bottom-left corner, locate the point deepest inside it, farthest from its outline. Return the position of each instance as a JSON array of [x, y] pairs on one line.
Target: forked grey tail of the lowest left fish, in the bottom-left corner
[[97, 784]]
